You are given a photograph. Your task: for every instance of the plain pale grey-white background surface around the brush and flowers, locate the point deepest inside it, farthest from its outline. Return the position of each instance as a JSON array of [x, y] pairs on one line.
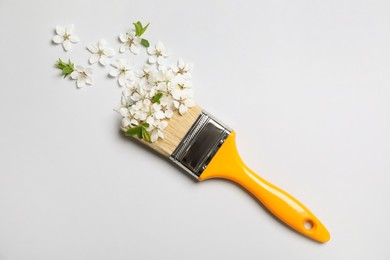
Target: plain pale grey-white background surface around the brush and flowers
[[305, 84]]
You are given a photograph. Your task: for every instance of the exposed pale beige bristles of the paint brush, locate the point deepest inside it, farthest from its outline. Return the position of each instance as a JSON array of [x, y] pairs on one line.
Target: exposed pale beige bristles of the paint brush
[[175, 131]]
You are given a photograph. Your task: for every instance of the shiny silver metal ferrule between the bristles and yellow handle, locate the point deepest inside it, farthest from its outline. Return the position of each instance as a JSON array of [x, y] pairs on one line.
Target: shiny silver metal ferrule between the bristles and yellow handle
[[200, 144]]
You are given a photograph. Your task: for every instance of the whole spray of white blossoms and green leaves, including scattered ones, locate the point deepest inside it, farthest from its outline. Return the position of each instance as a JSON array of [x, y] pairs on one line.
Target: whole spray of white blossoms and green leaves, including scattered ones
[[152, 94]]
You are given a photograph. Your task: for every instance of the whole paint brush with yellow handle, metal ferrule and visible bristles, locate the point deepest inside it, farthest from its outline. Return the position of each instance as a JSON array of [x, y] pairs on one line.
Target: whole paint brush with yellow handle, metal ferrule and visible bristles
[[205, 148]]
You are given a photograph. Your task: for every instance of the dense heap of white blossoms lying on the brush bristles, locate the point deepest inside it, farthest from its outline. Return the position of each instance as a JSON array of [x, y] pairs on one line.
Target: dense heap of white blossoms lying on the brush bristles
[[153, 94]]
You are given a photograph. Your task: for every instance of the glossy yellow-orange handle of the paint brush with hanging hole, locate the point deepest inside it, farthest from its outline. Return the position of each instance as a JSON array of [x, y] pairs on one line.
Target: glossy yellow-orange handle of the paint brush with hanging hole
[[228, 165]]
